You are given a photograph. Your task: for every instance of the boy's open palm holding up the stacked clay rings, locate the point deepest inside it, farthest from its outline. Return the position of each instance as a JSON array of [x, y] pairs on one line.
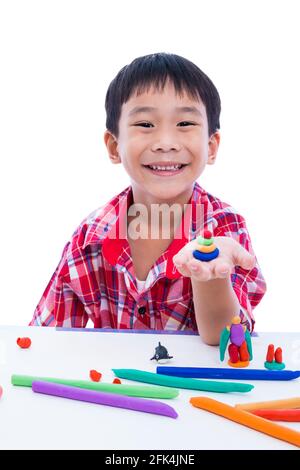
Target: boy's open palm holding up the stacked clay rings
[[231, 254]]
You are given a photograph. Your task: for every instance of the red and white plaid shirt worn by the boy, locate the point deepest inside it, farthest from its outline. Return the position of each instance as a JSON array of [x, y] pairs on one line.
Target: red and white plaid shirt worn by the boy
[[95, 278]]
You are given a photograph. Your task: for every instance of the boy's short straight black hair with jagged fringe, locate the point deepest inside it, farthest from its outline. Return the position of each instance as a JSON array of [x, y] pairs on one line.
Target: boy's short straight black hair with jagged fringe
[[155, 69]]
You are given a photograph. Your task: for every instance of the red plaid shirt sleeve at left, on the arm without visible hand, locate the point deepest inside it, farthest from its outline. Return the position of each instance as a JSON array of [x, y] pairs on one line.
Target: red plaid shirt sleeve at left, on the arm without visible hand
[[59, 305]]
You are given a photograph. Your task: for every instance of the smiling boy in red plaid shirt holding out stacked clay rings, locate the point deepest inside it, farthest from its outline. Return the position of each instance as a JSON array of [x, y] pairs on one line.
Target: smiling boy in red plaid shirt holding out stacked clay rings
[[124, 270]]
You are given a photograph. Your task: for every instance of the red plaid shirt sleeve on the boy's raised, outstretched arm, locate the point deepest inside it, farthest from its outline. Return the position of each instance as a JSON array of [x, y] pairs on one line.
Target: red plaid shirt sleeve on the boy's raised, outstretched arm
[[249, 286]]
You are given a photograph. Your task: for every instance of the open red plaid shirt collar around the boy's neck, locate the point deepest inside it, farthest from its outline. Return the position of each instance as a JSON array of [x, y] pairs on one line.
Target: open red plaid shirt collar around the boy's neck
[[108, 227]]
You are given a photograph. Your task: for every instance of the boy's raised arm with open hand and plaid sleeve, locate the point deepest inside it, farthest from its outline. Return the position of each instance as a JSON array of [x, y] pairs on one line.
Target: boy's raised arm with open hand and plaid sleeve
[[219, 296]]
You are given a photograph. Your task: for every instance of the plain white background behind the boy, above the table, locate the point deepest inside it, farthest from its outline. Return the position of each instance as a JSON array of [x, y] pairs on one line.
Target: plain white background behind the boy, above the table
[[57, 59]]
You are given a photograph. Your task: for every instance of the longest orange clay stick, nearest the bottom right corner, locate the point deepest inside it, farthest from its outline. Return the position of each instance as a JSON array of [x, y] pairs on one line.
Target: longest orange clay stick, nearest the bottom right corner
[[247, 419]]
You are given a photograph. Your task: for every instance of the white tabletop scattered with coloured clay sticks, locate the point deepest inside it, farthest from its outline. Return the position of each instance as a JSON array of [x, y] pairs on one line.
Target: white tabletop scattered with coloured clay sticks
[[35, 421]]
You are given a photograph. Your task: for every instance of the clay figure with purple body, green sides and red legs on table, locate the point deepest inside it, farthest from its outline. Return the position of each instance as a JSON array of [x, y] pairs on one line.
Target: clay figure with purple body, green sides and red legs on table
[[240, 347]]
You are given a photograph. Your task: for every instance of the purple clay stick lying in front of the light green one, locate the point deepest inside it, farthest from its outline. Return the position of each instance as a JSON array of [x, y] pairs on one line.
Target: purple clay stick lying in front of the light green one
[[104, 398]]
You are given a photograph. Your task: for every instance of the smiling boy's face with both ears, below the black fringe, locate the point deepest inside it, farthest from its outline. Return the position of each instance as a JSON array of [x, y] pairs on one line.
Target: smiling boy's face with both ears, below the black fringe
[[162, 129]]
